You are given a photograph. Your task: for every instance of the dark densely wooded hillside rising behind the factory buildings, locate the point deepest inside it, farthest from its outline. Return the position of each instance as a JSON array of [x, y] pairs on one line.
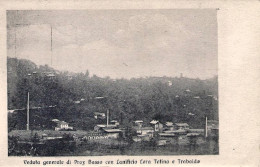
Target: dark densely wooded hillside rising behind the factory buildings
[[72, 97]]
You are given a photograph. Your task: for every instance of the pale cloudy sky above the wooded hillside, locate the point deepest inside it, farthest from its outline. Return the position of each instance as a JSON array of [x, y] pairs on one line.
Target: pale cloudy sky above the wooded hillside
[[118, 43]]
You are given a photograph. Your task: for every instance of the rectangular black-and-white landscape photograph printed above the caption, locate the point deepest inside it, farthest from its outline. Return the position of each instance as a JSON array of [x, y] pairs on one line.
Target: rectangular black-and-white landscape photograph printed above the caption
[[98, 82]]
